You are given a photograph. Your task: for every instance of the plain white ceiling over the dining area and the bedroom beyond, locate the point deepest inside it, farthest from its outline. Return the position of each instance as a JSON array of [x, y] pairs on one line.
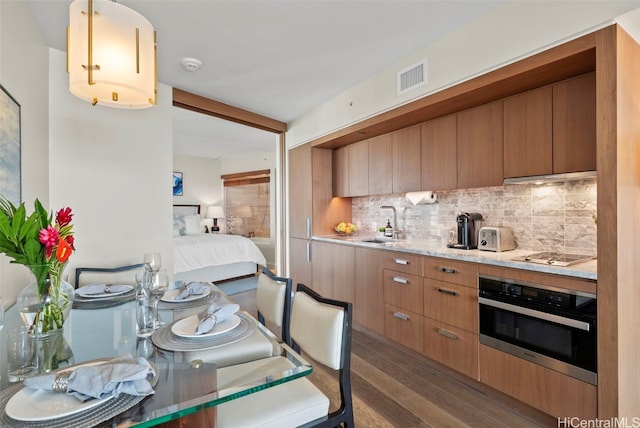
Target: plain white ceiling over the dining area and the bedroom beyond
[[276, 58]]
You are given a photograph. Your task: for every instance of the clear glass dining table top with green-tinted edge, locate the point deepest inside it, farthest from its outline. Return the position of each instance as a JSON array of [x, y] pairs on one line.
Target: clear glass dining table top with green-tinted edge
[[187, 381]]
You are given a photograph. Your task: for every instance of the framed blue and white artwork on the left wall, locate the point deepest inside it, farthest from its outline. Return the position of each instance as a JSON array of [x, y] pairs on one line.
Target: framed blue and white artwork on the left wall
[[10, 169]]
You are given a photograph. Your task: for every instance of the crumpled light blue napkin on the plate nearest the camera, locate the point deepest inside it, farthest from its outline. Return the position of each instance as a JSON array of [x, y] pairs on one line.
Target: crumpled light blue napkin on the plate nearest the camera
[[121, 375]]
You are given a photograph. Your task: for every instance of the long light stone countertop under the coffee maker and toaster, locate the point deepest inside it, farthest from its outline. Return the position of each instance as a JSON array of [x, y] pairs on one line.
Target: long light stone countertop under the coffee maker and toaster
[[586, 270]]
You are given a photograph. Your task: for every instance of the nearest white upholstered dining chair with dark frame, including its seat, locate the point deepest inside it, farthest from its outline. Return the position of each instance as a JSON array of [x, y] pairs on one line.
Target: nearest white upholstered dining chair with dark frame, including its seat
[[322, 329]]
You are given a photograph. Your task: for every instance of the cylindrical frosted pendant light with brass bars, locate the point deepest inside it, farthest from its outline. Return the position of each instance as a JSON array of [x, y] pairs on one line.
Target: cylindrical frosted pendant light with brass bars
[[111, 55]]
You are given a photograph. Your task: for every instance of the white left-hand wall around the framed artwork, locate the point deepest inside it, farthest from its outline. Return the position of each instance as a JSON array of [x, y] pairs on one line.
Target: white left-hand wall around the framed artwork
[[24, 71]]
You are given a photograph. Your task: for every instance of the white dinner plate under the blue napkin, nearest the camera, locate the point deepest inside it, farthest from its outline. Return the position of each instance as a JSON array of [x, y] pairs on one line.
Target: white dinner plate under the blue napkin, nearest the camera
[[31, 405]]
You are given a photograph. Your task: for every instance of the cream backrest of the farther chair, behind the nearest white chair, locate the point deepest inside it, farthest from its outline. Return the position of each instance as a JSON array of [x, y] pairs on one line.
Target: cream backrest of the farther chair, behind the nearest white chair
[[273, 301]]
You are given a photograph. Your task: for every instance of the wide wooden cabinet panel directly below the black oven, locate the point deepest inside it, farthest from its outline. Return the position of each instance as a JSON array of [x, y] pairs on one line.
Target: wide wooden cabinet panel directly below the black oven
[[547, 390]]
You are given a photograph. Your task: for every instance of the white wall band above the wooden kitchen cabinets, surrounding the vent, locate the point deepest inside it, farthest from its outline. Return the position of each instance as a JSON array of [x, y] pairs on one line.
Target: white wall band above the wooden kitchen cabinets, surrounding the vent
[[512, 31]]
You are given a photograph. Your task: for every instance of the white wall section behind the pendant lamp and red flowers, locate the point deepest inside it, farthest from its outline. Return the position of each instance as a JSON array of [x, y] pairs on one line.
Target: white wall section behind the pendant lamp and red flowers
[[113, 168]]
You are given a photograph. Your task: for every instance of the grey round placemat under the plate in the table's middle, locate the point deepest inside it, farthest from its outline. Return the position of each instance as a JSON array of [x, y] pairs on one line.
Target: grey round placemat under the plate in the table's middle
[[164, 338]]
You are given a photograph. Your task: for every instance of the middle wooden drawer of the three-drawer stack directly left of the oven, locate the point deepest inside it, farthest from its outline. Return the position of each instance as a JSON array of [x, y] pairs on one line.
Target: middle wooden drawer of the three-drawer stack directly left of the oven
[[453, 304]]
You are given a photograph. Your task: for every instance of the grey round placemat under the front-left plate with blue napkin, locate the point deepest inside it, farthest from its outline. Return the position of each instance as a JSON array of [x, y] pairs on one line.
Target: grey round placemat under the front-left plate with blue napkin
[[89, 417]]
